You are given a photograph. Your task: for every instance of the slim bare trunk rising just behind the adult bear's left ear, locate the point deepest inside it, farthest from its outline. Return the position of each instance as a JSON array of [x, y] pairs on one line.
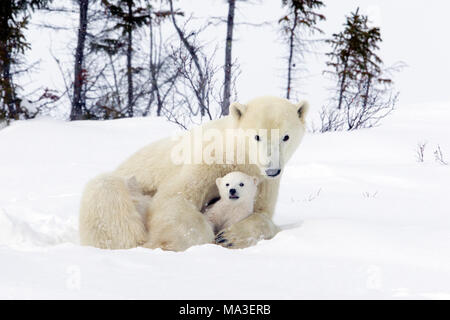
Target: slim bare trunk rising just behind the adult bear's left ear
[[228, 61]]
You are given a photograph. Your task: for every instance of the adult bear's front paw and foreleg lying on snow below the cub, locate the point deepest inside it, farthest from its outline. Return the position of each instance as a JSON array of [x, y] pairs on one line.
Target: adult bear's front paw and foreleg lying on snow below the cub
[[247, 232]]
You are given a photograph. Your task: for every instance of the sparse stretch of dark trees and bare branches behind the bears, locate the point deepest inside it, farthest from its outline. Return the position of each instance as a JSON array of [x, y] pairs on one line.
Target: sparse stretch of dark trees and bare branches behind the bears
[[151, 58]]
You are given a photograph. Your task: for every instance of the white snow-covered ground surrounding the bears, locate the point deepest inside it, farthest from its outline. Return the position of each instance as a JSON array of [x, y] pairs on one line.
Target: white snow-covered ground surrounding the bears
[[361, 218]]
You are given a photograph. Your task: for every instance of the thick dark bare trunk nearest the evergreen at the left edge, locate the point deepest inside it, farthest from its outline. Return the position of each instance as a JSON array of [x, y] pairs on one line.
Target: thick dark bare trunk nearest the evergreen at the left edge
[[78, 103]]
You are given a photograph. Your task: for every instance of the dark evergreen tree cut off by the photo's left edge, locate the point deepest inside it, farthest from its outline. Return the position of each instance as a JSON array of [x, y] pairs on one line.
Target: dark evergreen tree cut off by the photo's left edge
[[14, 18]]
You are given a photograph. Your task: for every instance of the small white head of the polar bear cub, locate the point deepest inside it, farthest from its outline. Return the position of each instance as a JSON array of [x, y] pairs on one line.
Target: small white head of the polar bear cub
[[237, 187]]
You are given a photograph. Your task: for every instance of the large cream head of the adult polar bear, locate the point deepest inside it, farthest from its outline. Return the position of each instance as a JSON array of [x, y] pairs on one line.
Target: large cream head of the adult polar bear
[[274, 127]]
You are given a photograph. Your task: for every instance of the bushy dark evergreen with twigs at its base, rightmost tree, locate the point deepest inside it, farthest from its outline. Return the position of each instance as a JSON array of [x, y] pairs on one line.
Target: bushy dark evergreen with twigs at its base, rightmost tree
[[364, 94]]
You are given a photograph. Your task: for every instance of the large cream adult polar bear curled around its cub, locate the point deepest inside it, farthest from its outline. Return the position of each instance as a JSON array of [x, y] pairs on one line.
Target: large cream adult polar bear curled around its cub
[[108, 216]]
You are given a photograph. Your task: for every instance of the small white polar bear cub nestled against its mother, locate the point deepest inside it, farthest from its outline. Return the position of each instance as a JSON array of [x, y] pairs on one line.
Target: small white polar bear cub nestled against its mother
[[237, 196]]
